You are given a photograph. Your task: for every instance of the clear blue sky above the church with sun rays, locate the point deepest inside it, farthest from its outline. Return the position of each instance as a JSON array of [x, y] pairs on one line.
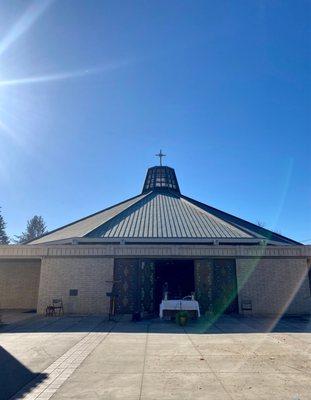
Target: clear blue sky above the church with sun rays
[[91, 90]]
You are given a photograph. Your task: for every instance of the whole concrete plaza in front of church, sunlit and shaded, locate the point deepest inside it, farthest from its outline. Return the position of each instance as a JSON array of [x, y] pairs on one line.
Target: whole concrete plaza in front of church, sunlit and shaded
[[88, 358]]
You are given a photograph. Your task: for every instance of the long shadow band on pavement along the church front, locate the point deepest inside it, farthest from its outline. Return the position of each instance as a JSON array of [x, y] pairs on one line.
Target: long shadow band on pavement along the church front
[[223, 324]]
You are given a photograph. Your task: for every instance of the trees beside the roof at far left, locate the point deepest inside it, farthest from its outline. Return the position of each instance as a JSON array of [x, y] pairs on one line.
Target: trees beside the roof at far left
[[35, 228]]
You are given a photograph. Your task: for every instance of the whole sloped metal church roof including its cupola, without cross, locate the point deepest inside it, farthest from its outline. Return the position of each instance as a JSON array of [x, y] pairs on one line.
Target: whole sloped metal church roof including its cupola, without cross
[[161, 212]]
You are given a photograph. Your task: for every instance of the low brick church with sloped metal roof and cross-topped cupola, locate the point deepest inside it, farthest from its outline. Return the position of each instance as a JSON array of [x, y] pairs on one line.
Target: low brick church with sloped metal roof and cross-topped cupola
[[158, 238]]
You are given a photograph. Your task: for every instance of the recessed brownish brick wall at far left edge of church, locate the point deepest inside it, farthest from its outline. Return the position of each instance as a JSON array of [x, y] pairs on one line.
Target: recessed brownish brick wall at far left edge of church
[[19, 284]]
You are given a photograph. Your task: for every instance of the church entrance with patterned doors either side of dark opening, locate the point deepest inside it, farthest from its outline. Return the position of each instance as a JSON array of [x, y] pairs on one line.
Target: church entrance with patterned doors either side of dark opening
[[141, 281]]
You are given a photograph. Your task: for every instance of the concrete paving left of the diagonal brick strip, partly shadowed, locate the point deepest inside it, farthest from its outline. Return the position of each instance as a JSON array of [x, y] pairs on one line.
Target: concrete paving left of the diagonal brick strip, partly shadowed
[[31, 347]]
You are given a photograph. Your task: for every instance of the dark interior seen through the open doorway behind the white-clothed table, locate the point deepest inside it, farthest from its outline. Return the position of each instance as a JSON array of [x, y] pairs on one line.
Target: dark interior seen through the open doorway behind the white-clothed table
[[179, 276]]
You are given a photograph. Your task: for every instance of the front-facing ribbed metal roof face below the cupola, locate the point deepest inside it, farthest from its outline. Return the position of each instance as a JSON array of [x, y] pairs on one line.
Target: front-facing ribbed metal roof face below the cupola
[[166, 215]]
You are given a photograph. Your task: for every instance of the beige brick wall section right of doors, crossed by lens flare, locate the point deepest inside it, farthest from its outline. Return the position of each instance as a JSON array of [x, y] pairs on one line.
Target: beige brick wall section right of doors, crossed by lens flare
[[274, 285]]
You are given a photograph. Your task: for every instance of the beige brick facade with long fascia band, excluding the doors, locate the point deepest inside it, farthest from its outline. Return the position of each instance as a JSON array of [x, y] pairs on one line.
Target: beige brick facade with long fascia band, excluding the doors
[[271, 277]]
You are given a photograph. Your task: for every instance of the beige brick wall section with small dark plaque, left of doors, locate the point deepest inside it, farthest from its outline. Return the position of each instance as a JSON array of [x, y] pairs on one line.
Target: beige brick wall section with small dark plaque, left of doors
[[88, 275]]
